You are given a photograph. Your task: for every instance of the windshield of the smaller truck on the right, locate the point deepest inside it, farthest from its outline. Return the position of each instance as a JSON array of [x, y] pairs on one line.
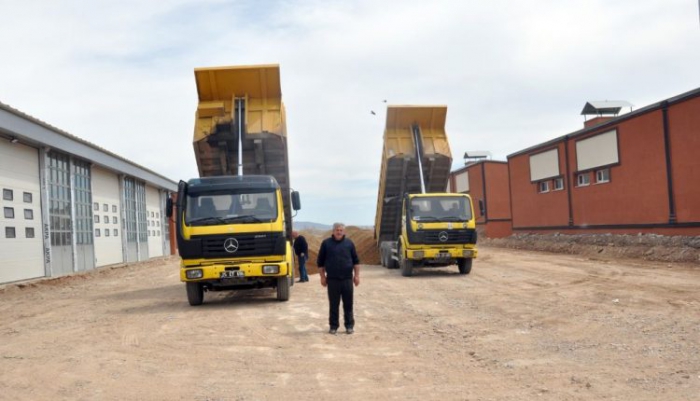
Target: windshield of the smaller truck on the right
[[443, 208]]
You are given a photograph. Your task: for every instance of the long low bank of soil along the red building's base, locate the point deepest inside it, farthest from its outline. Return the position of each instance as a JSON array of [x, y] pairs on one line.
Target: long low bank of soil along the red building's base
[[652, 247]]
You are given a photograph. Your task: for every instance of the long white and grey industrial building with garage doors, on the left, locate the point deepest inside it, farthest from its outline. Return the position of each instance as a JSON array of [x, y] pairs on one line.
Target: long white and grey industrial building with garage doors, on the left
[[70, 206]]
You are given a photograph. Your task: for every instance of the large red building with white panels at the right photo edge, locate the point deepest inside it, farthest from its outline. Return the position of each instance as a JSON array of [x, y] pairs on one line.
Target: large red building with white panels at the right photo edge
[[636, 173]]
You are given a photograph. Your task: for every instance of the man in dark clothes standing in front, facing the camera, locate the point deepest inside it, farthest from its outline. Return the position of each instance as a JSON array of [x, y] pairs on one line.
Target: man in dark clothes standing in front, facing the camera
[[339, 268]]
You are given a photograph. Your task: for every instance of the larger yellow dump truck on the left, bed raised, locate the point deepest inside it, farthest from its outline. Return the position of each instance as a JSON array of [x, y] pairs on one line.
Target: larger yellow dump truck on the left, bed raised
[[234, 222]]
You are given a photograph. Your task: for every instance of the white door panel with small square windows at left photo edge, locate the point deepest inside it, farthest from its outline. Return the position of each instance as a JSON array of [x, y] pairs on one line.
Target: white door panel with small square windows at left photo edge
[[19, 172]]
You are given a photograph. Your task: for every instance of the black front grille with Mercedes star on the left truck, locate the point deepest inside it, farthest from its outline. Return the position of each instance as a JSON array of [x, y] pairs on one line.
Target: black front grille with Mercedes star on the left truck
[[249, 244]]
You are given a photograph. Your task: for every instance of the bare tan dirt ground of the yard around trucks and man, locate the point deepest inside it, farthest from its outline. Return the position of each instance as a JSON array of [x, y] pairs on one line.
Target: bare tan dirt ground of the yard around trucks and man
[[523, 325]]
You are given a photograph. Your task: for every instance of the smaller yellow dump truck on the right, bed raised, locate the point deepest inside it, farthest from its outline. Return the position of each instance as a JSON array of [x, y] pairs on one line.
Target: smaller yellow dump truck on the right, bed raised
[[417, 223]]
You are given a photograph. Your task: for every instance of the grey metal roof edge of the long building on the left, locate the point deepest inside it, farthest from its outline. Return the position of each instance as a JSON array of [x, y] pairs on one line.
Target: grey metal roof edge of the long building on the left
[[32, 131]]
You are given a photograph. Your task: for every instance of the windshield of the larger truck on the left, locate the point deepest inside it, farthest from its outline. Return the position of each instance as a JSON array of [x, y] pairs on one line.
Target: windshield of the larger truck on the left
[[247, 206]]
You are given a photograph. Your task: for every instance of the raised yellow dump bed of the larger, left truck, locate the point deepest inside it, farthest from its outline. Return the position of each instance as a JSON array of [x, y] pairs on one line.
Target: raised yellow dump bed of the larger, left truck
[[243, 100]]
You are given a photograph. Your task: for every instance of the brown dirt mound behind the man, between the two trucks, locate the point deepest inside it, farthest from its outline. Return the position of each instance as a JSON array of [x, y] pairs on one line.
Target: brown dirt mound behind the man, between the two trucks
[[362, 237]]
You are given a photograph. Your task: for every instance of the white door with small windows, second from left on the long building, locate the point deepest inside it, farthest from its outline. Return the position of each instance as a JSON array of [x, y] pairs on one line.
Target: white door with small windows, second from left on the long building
[[105, 191]]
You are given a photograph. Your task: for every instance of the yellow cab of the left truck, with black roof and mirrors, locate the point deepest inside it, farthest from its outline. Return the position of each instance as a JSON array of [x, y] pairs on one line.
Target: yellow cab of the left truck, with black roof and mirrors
[[231, 234]]
